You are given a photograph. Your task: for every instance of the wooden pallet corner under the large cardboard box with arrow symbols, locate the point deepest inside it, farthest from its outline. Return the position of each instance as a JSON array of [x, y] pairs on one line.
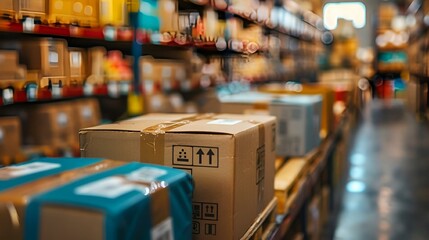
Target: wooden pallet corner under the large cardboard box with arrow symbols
[[264, 224]]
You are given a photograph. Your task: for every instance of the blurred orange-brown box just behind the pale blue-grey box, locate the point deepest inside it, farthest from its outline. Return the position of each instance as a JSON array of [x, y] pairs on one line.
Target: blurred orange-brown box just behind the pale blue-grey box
[[327, 114]]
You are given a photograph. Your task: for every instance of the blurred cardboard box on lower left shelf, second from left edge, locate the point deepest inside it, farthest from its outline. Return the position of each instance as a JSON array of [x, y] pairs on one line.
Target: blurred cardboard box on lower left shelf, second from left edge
[[51, 124]]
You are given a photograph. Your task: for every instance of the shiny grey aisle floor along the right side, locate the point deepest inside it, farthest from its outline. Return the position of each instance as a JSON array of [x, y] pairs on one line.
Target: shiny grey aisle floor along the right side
[[387, 195]]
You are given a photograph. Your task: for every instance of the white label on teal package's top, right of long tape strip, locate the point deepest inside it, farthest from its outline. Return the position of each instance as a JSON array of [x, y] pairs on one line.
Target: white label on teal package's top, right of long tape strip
[[111, 187]]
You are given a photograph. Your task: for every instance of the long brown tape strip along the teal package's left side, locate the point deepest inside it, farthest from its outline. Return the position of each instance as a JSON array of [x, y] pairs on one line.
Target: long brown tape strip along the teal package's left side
[[14, 200]]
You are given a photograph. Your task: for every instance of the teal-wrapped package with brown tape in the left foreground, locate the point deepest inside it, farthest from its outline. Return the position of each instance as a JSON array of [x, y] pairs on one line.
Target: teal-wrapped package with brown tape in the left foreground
[[94, 198]]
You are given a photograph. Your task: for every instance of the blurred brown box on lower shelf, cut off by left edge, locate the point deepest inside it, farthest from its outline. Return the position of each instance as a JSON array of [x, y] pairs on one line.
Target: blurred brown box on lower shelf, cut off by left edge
[[10, 136]]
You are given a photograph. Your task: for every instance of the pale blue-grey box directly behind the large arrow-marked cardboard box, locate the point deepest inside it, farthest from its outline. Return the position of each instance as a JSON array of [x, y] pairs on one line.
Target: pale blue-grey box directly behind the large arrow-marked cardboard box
[[298, 117]]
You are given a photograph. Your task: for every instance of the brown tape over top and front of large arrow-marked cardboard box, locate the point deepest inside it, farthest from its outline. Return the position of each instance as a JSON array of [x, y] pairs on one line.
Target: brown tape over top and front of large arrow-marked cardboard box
[[152, 138]]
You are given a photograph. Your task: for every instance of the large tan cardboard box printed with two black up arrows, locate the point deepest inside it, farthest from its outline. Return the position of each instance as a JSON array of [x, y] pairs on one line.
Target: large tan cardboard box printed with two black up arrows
[[231, 158]]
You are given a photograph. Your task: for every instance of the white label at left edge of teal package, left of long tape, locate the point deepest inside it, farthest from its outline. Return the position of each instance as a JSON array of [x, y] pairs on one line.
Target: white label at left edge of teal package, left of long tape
[[26, 169]]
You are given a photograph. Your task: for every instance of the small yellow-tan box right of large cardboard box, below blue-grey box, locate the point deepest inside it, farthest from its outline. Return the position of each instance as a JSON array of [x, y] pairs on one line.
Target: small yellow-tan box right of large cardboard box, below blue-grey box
[[286, 180]]
